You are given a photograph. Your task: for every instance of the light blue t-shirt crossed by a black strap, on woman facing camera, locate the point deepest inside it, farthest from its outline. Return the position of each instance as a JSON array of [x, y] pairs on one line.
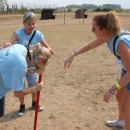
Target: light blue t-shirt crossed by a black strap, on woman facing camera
[[23, 38]]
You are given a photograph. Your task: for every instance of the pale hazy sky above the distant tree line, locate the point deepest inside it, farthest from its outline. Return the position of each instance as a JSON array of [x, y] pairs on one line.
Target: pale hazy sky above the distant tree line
[[123, 3]]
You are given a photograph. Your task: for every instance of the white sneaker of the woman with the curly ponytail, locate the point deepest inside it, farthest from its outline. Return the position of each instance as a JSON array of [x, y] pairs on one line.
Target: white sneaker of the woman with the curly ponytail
[[116, 123]]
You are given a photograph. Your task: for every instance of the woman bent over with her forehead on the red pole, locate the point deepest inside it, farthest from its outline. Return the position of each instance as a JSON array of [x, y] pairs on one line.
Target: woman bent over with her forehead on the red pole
[[13, 69]]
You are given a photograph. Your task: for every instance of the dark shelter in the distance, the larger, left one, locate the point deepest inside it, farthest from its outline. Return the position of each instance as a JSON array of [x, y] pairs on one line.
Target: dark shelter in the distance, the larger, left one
[[47, 14]]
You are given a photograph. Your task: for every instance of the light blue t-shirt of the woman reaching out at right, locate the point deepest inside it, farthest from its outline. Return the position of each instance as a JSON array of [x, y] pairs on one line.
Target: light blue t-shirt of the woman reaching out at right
[[123, 38]]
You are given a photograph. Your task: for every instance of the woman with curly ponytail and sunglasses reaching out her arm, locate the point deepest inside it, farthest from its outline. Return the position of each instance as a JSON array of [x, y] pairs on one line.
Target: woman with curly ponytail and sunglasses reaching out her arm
[[106, 27]]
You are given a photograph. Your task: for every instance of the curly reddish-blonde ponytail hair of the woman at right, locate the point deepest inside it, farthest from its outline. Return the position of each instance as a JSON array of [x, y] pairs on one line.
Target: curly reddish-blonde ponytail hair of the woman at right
[[109, 21]]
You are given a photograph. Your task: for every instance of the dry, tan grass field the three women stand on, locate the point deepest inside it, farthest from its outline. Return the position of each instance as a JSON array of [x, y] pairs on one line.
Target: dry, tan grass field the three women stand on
[[72, 98]]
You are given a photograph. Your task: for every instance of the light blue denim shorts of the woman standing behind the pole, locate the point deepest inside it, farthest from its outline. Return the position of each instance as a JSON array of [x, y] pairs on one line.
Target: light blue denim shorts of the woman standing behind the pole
[[32, 79]]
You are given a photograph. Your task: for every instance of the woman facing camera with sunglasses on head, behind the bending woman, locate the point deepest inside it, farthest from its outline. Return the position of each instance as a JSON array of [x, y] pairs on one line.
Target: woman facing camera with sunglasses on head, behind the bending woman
[[23, 36]]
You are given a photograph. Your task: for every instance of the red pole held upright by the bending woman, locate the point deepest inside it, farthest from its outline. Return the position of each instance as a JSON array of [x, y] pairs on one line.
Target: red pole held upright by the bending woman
[[37, 104]]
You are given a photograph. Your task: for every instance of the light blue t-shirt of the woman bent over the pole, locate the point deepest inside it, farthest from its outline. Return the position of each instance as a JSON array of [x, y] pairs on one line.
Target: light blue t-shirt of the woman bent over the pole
[[13, 68]]
